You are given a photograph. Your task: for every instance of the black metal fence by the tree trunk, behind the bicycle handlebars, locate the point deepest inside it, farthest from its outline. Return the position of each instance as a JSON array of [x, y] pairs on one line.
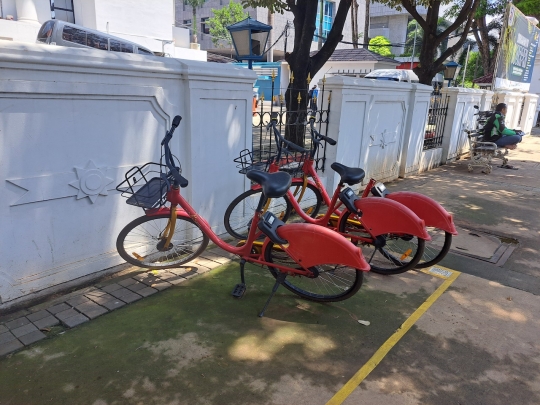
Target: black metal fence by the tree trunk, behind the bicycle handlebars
[[290, 120]]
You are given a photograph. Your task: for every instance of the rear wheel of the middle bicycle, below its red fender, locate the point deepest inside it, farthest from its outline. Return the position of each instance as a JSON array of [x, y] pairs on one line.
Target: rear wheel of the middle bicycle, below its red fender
[[385, 260]]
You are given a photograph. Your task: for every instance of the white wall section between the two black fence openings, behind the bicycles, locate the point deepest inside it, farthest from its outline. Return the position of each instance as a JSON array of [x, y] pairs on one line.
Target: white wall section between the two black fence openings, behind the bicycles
[[379, 126]]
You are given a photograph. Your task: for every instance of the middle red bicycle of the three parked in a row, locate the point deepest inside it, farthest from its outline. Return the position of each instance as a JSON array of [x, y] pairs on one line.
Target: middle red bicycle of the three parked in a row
[[393, 236]]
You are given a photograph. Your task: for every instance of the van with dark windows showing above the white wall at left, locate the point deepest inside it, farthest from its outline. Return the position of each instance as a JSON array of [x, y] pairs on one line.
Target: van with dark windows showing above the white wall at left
[[62, 33]]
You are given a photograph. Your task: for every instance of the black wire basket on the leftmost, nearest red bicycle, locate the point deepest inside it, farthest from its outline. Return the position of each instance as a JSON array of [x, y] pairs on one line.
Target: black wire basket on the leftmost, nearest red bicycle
[[146, 186]]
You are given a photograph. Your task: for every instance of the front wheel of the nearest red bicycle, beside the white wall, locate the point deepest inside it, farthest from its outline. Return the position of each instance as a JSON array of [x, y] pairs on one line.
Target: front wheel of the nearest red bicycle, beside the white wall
[[141, 237]]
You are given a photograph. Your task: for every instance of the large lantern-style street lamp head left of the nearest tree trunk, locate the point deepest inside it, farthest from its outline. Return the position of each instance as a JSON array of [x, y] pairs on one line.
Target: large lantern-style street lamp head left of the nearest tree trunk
[[250, 38]]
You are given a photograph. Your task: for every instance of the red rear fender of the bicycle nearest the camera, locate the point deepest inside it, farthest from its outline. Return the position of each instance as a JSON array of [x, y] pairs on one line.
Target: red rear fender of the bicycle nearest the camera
[[311, 245]]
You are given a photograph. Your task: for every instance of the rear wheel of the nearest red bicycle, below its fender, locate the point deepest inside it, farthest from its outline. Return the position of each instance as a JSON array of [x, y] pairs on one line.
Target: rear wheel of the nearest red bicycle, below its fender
[[345, 284]]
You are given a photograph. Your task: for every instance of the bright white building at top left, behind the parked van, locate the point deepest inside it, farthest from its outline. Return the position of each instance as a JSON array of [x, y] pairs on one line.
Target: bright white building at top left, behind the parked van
[[150, 24]]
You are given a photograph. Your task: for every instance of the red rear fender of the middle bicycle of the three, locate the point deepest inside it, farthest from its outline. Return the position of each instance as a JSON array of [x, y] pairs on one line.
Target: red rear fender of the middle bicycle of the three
[[381, 216]]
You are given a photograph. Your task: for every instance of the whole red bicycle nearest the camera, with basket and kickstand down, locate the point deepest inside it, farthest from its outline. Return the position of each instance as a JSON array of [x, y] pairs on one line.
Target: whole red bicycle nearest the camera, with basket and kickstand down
[[310, 261]]
